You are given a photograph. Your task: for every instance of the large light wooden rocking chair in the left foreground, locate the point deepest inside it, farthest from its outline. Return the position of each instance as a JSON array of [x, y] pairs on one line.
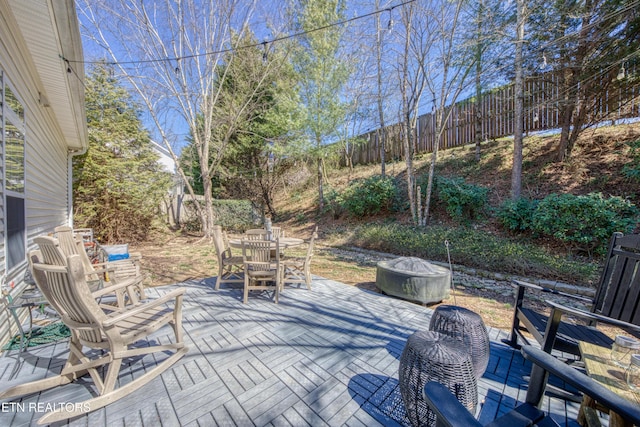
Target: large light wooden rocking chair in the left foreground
[[112, 332]]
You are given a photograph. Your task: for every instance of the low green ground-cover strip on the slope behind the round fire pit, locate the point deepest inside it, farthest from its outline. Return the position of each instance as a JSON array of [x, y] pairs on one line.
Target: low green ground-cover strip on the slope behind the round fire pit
[[472, 248]]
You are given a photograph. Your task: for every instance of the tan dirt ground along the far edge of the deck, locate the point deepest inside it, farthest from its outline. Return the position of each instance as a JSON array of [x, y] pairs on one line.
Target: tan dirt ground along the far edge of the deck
[[174, 258]]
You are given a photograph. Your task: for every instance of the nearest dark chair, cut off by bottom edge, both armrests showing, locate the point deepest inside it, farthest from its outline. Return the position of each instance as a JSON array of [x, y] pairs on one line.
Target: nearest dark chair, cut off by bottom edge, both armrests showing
[[449, 412]]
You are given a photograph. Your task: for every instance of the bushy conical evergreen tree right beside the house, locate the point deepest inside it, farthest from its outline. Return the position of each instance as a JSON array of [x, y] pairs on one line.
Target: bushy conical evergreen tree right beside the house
[[118, 183]]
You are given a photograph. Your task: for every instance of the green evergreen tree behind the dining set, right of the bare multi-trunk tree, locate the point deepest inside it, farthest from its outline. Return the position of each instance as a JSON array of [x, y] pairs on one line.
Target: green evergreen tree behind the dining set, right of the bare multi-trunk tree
[[263, 147]]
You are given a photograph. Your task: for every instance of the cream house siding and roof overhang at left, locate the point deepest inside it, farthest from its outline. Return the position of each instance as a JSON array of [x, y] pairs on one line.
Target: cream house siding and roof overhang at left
[[46, 149]]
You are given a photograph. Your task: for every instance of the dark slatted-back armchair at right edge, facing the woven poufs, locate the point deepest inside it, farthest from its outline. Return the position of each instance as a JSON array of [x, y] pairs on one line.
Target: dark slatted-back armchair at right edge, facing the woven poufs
[[616, 303]]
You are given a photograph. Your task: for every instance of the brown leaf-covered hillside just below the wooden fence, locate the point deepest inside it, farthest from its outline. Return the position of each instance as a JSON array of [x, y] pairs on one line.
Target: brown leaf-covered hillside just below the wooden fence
[[595, 166]]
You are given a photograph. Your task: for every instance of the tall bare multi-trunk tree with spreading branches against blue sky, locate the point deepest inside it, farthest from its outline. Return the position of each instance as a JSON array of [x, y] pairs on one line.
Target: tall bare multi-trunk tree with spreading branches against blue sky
[[170, 53]]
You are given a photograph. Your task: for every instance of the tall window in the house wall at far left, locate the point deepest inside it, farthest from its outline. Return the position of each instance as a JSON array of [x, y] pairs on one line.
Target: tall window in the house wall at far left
[[13, 166]]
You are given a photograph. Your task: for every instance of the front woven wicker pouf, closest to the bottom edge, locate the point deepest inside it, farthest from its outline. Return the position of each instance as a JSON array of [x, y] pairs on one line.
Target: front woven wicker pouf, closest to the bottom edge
[[431, 356]]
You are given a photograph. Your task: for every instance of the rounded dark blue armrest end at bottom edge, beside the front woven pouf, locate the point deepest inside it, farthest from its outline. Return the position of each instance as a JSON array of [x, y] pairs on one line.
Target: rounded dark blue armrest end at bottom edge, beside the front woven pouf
[[449, 411]]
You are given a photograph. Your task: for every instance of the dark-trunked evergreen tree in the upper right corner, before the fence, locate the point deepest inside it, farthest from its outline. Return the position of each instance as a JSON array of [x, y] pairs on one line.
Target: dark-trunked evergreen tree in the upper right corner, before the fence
[[588, 45]]
